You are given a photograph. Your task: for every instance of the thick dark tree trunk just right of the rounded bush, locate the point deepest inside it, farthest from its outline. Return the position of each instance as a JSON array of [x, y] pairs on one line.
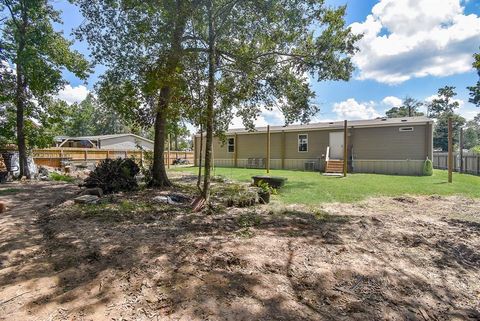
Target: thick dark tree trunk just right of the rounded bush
[[159, 174]]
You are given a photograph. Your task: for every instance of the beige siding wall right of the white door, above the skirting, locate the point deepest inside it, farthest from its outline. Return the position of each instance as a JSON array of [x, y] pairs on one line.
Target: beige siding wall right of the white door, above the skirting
[[388, 143]]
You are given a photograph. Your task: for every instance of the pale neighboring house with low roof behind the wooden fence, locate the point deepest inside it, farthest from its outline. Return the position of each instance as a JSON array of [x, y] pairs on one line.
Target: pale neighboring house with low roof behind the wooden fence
[[114, 142]]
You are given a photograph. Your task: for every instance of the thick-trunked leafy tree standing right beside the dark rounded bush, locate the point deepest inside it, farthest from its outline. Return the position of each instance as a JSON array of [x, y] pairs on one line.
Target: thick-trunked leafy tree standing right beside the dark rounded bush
[[143, 44]]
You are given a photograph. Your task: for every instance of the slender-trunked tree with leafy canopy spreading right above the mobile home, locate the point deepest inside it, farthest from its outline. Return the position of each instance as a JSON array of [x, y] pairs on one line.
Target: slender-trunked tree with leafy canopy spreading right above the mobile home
[[262, 54]]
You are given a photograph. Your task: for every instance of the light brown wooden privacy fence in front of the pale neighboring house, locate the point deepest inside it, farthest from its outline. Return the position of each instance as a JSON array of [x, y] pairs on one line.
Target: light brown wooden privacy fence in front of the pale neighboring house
[[57, 157]]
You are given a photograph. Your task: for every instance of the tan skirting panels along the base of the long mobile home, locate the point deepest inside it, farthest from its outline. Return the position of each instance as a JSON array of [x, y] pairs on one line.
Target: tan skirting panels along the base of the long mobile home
[[378, 166]]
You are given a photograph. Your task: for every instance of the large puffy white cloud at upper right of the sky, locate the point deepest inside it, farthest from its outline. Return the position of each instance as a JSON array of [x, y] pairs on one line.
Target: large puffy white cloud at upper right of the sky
[[406, 39]]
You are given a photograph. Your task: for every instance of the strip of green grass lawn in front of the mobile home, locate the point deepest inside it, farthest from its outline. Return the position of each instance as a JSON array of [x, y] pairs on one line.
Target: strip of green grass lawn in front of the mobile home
[[313, 188]]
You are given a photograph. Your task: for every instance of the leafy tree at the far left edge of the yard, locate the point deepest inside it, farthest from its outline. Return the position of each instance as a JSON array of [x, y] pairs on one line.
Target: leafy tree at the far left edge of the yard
[[39, 54]]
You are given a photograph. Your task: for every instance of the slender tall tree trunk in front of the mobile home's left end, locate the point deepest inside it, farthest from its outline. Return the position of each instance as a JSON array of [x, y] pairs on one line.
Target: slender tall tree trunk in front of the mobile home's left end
[[209, 107]]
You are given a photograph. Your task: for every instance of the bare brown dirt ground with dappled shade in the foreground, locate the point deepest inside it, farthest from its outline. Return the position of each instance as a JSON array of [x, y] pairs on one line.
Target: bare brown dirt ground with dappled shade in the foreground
[[407, 258]]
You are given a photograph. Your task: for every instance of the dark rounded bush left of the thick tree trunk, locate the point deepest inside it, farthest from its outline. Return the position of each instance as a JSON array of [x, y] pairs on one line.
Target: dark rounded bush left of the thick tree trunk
[[114, 175]]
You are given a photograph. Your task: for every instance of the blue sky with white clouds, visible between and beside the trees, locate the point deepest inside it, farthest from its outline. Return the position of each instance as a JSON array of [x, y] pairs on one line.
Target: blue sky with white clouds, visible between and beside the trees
[[411, 48]]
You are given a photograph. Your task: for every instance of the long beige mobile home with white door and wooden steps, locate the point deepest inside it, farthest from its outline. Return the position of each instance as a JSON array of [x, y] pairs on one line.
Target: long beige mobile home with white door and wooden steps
[[382, 145]]
